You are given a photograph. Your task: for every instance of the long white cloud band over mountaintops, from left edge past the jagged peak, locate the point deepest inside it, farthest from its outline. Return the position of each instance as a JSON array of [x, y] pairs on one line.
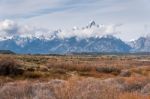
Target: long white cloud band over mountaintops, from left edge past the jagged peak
[[10, 28]]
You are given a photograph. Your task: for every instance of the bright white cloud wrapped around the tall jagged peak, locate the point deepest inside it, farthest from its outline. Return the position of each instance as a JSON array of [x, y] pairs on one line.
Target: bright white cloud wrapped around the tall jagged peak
[[90, 31]]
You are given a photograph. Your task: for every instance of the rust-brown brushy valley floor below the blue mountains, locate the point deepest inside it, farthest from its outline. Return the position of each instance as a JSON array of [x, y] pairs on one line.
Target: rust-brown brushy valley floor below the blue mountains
[[74, 77]]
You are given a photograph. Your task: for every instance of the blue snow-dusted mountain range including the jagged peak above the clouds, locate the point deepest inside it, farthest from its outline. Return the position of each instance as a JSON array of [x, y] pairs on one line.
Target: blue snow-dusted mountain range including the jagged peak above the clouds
[[57, 45]]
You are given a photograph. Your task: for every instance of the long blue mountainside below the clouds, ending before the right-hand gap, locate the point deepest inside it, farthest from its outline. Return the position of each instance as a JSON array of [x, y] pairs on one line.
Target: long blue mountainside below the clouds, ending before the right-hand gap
[[56, 45]]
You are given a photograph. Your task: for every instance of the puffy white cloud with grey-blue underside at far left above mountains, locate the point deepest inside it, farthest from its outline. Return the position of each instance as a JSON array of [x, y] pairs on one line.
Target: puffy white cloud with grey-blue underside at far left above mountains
[[10, 28]]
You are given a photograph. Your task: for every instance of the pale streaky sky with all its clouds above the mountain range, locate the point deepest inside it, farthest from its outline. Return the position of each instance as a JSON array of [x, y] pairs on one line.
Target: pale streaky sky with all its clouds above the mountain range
[[129, 18]]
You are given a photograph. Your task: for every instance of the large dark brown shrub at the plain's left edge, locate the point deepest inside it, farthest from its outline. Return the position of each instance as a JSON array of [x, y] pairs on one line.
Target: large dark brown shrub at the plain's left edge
[[9, 66]]
